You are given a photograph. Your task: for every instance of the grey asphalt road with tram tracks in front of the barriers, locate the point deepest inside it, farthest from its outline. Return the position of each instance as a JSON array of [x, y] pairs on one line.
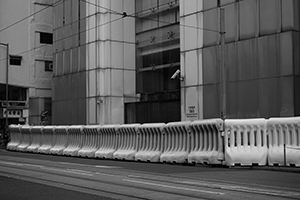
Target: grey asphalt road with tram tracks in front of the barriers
[[35, 176]]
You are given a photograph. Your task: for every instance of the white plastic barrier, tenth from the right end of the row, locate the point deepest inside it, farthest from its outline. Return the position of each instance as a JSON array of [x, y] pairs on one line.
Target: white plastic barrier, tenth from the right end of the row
[[60, 140]]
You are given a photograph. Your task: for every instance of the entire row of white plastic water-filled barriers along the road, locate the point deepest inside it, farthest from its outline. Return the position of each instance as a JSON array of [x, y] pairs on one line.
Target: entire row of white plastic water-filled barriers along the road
[[244, 142]]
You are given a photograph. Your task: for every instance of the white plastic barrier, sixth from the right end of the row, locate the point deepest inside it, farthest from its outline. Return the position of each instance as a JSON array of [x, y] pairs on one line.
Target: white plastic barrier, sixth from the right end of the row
[[128, 143]]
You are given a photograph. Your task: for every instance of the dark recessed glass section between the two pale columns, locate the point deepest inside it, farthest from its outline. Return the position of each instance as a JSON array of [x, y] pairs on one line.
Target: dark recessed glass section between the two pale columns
[[157, 59]]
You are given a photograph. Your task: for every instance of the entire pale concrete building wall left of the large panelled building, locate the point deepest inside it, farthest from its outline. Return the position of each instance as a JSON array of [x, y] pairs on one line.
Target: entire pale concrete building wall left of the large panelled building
[[23, 39]]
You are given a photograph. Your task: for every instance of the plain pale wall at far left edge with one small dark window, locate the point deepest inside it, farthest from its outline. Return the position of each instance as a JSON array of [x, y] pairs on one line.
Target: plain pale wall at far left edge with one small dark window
[[18, 38]]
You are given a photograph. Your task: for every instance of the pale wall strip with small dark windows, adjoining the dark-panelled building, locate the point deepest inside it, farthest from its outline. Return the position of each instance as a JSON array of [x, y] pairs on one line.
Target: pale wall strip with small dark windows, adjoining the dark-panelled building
[[40, 80]]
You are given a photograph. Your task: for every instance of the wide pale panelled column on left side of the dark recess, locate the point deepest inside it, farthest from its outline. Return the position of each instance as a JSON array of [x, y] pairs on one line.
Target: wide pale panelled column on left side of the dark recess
[[115, 57]]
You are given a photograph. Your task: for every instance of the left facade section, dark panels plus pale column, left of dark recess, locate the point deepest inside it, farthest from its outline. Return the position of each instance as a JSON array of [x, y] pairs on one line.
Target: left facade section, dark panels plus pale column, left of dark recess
[[94, 61]]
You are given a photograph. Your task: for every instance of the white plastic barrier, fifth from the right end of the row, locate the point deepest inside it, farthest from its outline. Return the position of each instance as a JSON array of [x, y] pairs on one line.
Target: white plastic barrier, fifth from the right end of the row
[[150, 142]]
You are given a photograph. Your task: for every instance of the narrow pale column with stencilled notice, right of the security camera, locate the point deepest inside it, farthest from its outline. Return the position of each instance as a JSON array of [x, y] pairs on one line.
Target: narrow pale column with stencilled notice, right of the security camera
[[191, 42]]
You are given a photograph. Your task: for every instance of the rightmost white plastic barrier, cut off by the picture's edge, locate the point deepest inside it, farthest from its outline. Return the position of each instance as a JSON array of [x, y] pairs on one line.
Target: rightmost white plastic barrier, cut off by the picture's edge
[[284, 131]]
